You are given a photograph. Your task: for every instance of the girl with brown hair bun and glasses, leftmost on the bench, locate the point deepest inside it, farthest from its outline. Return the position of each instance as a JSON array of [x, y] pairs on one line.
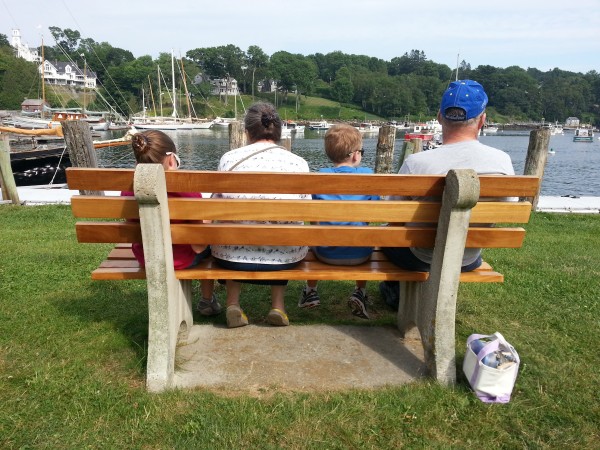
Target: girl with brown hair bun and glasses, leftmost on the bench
[[155, 147]]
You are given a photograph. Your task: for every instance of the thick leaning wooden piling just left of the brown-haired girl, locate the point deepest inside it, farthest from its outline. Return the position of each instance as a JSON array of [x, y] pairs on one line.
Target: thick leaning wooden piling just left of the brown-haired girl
[[79, 144]]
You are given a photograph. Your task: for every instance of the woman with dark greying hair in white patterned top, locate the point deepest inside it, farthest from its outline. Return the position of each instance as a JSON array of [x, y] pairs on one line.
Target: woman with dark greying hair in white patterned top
[[263, 130]]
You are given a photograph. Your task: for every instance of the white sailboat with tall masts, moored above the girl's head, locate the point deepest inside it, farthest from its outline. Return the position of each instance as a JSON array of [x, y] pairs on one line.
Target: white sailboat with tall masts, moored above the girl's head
[[174, 122]]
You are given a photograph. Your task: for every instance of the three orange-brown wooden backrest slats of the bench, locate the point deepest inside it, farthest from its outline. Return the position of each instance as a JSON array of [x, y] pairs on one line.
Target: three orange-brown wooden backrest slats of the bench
[[488, 211]]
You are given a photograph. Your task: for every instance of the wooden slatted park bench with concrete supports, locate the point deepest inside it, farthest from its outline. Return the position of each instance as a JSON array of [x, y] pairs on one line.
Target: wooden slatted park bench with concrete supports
[[428, 300]]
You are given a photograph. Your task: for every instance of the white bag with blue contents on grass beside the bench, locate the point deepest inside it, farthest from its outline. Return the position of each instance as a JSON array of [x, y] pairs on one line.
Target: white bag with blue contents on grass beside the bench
[[491, 365]]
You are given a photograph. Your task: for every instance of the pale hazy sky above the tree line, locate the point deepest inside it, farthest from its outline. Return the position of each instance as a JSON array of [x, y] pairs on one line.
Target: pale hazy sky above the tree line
[[527, 33]]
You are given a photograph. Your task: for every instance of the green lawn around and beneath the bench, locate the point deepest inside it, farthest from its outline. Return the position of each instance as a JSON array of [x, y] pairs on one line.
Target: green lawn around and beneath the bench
[[72, 357]]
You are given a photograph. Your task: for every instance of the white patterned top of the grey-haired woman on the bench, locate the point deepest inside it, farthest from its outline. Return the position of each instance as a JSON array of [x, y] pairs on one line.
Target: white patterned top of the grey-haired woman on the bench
[[276, 159]]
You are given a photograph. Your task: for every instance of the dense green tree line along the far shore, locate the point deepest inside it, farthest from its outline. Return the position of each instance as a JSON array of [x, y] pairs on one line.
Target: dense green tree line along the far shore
[[407, 86]]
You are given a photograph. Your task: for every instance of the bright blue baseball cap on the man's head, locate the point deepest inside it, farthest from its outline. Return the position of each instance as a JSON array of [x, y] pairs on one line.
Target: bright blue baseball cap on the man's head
[[467, 95]]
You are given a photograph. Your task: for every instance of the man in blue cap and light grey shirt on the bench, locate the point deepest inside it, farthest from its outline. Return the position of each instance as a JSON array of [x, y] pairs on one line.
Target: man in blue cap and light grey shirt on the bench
[[462, 115]]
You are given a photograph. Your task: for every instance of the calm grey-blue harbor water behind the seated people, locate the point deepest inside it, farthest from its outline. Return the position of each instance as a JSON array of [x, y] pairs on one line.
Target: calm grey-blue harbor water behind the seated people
[[574, 168]]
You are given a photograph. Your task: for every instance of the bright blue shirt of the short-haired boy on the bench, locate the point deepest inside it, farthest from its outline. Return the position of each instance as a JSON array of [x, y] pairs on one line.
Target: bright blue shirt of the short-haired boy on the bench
[[345, 252]]
